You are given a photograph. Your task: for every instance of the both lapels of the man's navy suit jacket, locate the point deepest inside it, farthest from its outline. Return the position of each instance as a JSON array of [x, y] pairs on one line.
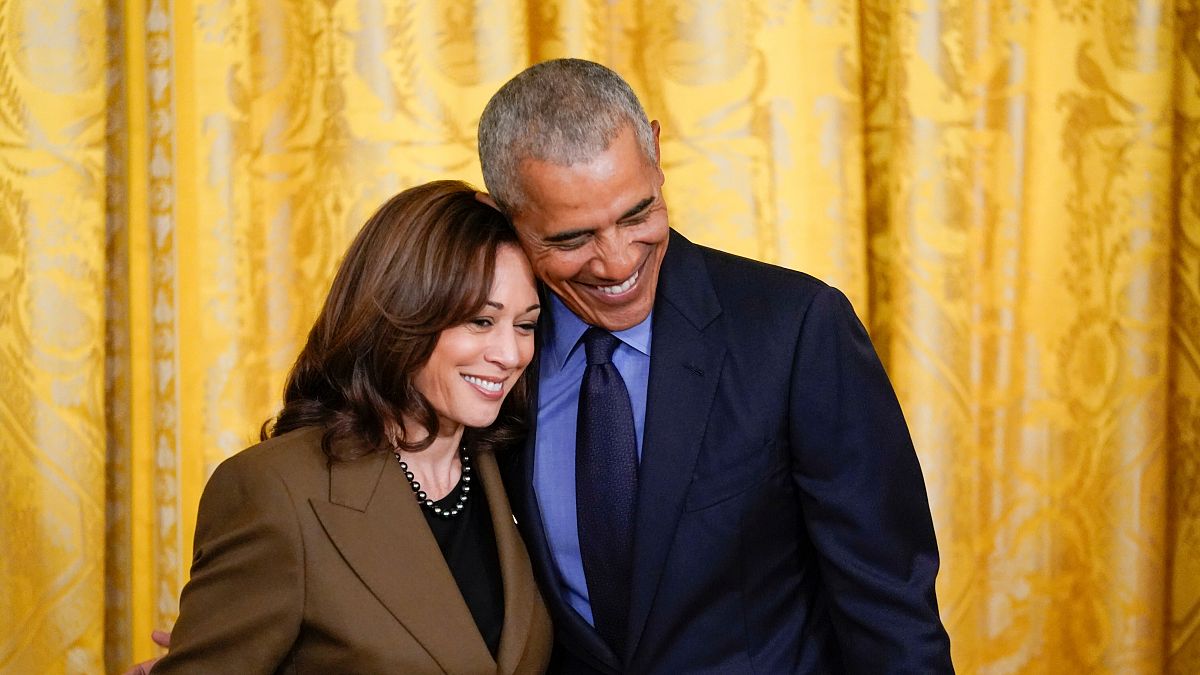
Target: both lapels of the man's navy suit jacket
[[685, 368]]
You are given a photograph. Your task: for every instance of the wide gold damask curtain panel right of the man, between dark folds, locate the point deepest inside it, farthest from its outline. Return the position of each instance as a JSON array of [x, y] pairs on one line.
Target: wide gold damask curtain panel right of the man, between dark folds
[[1021, 249]]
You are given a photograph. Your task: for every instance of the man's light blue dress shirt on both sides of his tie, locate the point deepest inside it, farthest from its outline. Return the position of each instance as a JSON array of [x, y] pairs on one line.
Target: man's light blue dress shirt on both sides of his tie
[[562, 365]]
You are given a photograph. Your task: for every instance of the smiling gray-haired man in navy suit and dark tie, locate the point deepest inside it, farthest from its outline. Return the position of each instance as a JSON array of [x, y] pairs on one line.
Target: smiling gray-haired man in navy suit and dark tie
[[719, 477]]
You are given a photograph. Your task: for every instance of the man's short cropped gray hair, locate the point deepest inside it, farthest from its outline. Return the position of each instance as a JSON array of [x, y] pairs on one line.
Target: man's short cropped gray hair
[[565, 112]]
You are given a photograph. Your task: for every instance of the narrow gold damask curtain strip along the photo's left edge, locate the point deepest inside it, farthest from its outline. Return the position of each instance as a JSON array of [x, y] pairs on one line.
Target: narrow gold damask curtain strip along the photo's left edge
[[52, 337]]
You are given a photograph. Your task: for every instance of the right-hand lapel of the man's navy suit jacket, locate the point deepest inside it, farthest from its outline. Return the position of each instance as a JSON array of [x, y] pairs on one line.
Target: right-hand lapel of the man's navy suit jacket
[[686, 366]]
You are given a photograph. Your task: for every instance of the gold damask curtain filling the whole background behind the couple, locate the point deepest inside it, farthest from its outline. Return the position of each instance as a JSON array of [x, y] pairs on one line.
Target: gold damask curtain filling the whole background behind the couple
[[1010, 193]]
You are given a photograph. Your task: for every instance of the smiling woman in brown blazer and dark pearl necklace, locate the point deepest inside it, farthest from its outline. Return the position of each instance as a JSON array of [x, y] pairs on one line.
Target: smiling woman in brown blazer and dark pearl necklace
[[370, 533]]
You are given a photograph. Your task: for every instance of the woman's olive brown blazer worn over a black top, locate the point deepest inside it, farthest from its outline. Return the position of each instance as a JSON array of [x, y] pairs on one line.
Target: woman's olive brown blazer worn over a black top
[[304, 566]]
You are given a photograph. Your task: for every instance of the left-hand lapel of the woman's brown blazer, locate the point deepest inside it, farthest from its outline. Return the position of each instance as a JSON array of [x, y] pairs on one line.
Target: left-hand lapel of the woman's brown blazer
[[379, 528]]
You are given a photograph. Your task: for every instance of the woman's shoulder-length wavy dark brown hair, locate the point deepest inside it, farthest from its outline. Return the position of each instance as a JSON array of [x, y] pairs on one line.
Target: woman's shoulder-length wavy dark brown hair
[[423, 264]]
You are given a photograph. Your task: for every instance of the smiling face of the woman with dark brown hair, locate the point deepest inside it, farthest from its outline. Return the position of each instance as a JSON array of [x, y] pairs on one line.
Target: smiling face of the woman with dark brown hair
[[476, 365]]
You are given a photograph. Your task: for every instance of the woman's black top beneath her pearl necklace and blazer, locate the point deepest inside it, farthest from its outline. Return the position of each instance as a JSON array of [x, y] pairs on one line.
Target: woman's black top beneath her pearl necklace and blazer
[[469, 543]]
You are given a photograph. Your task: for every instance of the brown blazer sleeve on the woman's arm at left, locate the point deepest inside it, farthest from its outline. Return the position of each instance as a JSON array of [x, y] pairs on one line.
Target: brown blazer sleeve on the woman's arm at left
[[242, 610]]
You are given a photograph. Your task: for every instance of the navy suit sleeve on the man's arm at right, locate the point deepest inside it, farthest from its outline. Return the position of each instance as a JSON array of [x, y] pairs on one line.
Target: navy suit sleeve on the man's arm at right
[[865, 500]]
